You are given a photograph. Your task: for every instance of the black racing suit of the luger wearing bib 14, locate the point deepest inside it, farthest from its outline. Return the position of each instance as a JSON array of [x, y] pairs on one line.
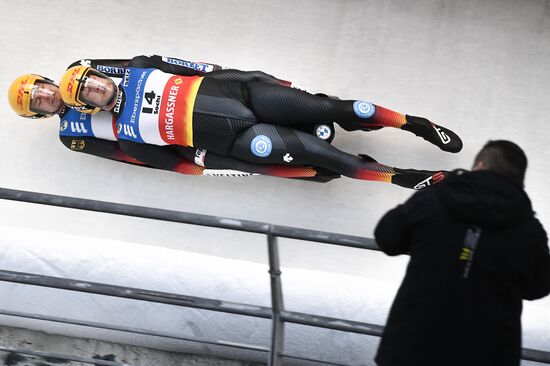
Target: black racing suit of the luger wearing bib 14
[[232, 108]]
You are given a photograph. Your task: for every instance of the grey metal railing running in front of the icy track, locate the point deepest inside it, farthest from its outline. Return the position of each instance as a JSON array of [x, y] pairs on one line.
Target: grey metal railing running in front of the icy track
[[278, 315]]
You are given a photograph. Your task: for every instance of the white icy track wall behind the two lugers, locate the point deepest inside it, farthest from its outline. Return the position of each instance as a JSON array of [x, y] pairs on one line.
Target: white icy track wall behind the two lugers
[[477, 67]]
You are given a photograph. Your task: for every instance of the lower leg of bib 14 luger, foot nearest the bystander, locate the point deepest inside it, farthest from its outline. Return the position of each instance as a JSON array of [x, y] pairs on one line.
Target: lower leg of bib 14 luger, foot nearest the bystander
[[270, 144]]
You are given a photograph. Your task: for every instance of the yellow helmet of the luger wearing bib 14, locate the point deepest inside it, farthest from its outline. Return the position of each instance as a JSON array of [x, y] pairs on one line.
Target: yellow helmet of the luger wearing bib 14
[[72, 83]]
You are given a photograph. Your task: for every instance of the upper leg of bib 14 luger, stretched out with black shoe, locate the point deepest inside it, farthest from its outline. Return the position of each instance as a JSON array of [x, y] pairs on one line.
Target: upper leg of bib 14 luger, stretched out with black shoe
[[280, 105]]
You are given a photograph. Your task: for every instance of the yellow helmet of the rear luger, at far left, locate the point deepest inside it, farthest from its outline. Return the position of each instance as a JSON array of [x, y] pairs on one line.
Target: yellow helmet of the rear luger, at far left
[[21, 92]]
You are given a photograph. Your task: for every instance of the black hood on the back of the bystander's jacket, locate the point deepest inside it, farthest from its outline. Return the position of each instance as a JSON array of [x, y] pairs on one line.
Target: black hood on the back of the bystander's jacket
[[485, 198]]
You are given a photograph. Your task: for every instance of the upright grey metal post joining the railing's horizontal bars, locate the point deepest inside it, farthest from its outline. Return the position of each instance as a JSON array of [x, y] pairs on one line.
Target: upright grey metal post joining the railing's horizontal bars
[[277, 330]]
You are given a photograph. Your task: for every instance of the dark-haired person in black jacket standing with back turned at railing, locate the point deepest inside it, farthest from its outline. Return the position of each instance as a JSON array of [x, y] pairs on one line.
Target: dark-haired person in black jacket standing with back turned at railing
[[476, 251]]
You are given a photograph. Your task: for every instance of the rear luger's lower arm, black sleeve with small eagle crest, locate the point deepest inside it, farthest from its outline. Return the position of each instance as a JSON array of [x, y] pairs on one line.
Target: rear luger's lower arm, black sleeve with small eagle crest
[[98, 147]]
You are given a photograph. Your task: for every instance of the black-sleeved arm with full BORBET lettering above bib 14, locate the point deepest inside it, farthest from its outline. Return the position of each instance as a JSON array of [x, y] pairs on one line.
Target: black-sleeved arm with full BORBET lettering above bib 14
[[173, 65]]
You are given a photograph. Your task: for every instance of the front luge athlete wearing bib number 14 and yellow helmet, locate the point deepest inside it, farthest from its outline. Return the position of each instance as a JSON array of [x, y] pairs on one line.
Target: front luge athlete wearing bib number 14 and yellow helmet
[[248, 116]]
